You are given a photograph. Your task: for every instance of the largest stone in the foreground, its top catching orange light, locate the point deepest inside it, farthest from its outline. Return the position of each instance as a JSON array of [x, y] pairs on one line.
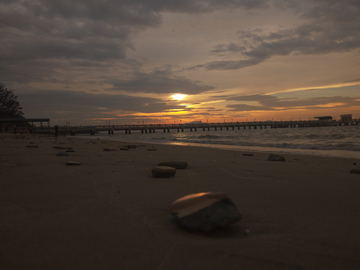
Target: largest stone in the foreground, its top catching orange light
[[204, 211]]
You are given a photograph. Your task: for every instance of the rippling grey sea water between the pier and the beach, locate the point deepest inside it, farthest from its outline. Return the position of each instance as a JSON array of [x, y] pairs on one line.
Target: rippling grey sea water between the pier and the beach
[[333, 141]]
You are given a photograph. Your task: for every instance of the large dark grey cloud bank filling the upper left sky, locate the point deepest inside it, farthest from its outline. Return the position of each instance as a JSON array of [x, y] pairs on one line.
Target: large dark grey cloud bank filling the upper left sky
[[86, 29]]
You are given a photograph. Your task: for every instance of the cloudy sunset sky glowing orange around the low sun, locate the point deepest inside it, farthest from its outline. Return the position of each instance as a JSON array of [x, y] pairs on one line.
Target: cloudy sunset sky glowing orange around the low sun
[[88, 62]]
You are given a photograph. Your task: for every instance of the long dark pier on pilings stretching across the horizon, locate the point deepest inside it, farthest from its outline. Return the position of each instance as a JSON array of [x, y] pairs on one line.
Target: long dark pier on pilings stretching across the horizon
[[192, 127]]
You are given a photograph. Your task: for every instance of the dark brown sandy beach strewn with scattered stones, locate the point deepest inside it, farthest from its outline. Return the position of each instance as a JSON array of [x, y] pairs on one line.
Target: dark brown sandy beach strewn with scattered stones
[[110, 213]]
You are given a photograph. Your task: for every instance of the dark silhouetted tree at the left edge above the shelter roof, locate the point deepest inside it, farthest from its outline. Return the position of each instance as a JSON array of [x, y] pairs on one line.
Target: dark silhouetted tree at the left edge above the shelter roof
[[9, 105]]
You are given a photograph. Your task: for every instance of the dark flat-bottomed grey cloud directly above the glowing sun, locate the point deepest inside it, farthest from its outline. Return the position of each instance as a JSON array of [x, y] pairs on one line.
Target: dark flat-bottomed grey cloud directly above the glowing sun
[[159, 81]]
